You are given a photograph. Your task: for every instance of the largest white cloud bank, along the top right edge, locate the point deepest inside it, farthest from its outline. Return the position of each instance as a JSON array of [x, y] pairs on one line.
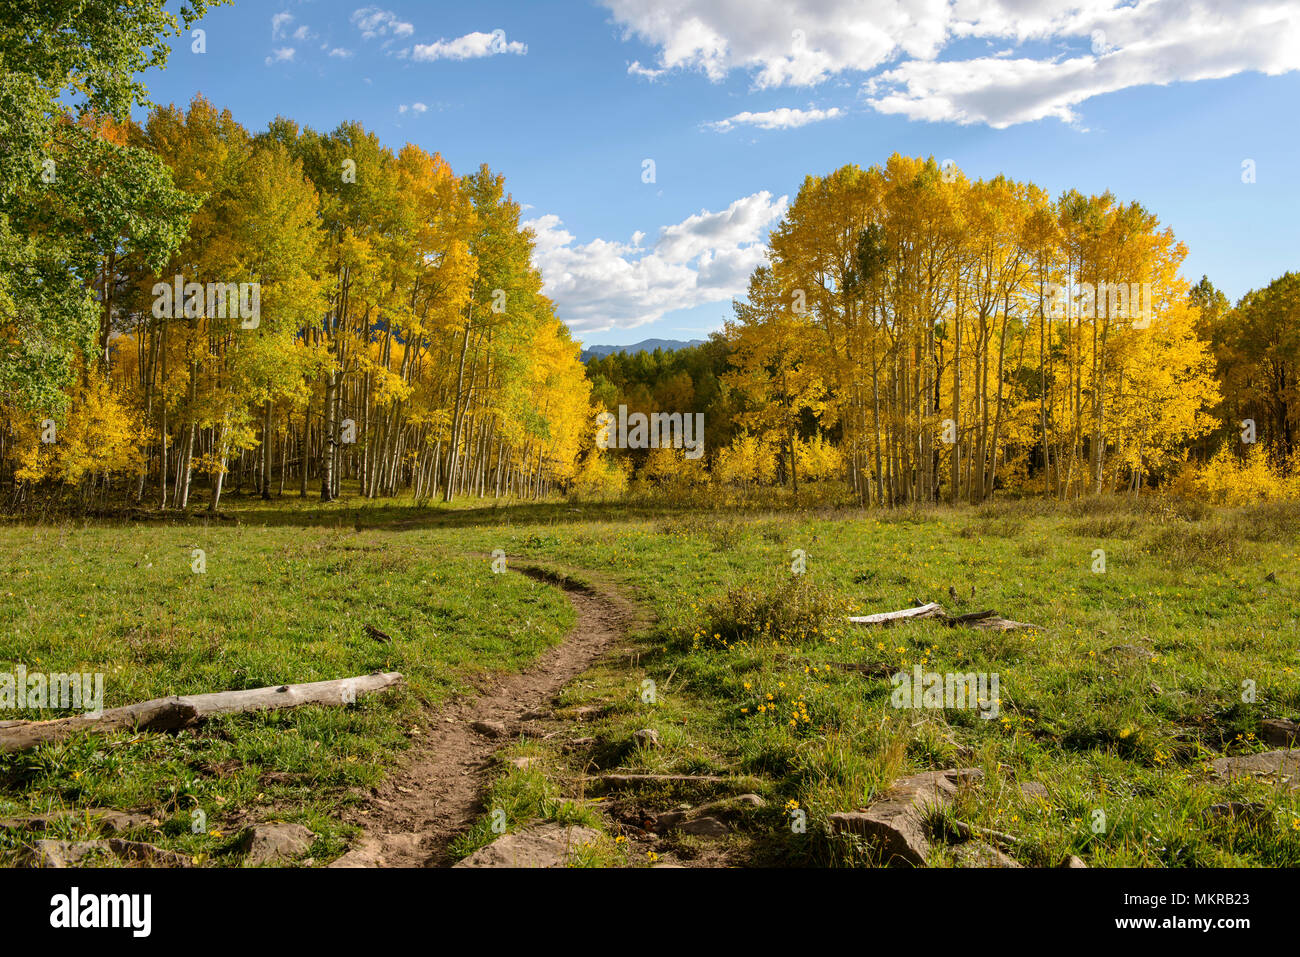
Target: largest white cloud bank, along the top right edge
[[1063, 53]]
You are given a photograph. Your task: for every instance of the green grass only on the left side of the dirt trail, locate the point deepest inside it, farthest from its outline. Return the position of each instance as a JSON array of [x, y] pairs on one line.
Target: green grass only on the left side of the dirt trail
[[276, 604]]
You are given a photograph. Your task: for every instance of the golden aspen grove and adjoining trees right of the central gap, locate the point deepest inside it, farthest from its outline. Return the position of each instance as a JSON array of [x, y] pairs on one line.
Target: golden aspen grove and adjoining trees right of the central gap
[[926, 337]]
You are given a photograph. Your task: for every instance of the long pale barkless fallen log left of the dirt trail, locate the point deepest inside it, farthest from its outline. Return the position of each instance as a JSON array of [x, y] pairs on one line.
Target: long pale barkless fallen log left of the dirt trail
[[170, 714]]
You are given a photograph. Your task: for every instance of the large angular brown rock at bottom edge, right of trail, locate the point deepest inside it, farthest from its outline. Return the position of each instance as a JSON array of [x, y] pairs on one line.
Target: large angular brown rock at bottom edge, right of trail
[[896, 824]]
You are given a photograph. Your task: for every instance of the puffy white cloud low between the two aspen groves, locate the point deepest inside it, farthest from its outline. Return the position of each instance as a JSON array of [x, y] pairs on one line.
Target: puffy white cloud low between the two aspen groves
[[707, 258]]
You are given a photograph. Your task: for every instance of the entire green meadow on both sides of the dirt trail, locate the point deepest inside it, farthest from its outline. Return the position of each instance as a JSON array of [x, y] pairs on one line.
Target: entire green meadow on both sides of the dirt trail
[[1116, 703]]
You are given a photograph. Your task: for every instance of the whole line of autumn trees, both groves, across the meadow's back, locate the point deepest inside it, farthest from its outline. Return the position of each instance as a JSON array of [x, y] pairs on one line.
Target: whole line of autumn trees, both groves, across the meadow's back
[[302, 310]]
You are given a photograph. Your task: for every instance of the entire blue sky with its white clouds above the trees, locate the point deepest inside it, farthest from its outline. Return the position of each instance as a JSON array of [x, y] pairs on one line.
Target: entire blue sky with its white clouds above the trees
[[738, 101]]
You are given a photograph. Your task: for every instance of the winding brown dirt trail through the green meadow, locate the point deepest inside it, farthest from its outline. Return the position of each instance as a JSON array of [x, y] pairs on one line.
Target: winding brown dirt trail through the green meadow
[[436, 794]]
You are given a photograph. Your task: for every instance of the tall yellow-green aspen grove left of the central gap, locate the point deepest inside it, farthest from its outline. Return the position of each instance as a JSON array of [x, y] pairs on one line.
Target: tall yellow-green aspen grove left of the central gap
[[401, 339]]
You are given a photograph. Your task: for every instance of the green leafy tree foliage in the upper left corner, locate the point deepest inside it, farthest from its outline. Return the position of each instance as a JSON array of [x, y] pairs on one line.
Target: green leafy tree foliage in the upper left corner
[[75, 60]]
